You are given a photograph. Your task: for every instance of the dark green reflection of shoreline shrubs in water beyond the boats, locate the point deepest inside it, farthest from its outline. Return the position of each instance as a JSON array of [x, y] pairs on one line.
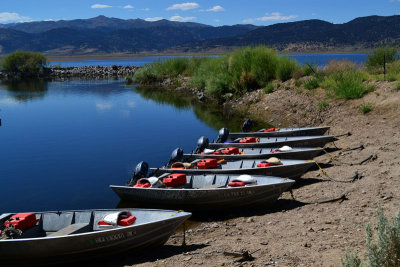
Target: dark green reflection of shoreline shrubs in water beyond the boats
[[215, 116]]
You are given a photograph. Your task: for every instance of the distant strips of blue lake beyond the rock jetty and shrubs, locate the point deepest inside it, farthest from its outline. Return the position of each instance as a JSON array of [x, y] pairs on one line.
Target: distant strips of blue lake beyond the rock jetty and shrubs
[[318, 59]]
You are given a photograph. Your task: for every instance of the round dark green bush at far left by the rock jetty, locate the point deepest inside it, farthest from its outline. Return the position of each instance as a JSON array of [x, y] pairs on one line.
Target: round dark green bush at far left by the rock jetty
[[24, 62]]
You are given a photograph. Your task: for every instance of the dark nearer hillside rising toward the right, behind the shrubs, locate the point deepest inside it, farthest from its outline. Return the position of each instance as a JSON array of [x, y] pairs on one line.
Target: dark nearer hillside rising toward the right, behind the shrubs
[[360, 33]]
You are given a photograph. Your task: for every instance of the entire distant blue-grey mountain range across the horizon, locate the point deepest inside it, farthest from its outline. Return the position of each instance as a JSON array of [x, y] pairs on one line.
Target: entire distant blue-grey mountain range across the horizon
[[103, 35]]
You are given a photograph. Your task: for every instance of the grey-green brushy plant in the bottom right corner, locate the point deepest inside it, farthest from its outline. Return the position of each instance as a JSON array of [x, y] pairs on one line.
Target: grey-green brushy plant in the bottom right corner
[[385, 251]]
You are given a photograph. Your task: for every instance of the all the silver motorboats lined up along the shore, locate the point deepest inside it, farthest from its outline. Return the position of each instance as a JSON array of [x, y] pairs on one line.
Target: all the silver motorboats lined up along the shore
[[237, 170]]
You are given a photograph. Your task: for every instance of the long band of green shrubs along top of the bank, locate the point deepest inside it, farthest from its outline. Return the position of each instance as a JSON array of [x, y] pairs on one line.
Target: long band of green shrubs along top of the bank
[[252, 68]]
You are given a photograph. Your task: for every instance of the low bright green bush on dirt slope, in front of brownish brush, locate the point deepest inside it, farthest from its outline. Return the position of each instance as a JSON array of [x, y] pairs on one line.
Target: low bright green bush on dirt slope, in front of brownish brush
[[347, 84]]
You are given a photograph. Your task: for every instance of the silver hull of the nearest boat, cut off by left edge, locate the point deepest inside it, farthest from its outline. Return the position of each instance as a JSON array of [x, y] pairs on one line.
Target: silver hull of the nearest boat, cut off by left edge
[[152, 228]]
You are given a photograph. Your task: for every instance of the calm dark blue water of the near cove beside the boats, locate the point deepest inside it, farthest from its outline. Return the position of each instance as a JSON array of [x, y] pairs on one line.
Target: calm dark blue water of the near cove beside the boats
[[64, 143]]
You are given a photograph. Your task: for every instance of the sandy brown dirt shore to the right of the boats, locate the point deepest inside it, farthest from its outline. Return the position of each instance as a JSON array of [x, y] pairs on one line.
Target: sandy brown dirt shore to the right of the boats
[[302, 231]]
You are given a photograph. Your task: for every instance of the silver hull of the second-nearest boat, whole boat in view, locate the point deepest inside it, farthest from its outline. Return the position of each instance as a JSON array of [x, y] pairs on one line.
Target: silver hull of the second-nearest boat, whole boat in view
[[265, 193]]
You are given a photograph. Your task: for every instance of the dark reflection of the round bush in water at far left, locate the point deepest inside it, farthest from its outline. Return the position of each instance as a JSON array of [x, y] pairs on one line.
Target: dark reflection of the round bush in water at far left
[[25, 90]]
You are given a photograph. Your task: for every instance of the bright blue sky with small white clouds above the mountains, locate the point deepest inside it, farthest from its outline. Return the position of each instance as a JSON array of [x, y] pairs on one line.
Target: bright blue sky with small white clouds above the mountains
[[222, 12]]
